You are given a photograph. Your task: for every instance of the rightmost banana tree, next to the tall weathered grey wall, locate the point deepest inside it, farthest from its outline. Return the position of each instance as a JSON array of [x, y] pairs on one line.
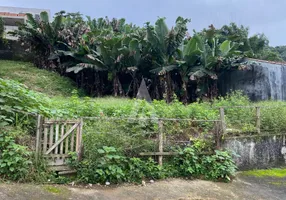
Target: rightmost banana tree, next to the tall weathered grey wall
[[214, 58]]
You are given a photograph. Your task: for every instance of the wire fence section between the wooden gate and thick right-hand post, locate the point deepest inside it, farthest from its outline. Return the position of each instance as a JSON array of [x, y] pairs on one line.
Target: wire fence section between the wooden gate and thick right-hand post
[[147, 136]]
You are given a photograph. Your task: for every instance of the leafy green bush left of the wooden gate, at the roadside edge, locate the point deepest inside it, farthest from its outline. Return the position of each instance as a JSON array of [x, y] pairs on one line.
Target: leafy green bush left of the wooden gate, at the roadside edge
[[14, 158]]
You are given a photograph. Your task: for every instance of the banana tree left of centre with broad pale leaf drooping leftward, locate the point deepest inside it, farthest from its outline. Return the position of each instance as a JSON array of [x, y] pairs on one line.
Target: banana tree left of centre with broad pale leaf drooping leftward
[[113, 53]]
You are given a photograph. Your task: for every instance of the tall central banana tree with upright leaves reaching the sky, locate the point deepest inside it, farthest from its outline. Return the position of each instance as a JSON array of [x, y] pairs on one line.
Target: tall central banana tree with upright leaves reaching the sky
[[163, 44]]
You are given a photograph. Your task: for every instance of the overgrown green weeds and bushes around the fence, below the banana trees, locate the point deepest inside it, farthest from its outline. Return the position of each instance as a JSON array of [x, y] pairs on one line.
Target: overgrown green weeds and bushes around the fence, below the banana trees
[[112, 147]]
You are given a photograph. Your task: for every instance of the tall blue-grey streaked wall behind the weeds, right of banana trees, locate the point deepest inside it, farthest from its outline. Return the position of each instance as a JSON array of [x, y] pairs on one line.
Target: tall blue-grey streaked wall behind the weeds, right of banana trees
[[263, 80]]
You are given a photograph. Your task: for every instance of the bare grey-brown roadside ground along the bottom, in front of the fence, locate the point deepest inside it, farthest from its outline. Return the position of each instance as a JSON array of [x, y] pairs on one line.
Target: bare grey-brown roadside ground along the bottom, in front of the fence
[[244, 187]]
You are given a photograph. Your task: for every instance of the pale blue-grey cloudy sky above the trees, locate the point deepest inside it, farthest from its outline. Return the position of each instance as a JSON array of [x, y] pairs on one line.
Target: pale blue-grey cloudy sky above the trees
[[261, 16]]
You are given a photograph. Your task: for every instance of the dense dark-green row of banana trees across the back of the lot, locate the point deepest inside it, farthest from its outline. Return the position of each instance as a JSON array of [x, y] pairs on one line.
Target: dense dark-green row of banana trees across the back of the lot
[[110, 57]]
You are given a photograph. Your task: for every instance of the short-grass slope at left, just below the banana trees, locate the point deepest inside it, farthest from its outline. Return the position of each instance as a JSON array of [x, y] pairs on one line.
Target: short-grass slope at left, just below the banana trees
[[36, 79]]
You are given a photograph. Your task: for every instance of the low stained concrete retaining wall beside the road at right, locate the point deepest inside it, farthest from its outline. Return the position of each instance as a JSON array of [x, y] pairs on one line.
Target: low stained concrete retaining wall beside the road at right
[[256, 151]]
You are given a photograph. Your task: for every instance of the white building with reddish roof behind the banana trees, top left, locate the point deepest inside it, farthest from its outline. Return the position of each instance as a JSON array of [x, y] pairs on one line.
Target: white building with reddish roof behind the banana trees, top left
[[13, 15]]
